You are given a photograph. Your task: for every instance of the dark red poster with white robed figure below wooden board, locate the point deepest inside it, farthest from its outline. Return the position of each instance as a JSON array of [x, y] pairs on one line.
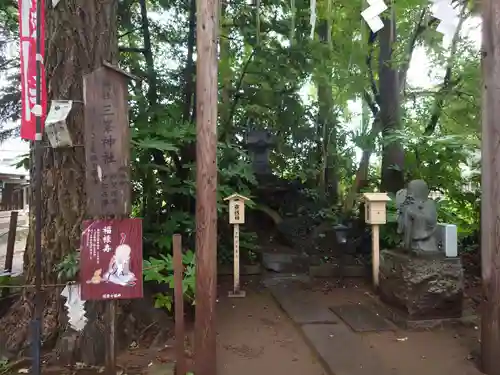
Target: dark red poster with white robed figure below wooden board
[[111, 259]]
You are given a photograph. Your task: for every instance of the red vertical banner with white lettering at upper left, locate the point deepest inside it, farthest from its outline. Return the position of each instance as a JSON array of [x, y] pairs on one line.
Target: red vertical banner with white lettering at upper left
[[28, 34]]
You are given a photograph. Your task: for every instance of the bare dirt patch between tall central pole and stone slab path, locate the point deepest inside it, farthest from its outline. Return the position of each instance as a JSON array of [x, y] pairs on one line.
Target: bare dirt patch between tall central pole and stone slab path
[[256, 337]]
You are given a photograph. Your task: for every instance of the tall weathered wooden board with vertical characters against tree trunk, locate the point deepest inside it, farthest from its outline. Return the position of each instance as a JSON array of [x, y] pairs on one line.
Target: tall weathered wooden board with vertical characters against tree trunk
[[107, 143]]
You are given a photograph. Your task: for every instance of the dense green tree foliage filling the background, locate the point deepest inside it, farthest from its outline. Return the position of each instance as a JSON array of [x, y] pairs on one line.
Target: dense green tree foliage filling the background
[[310, 92]]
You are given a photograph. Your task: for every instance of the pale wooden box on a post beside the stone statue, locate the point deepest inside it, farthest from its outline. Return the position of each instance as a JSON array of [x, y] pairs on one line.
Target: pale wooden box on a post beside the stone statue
[[375, 214]]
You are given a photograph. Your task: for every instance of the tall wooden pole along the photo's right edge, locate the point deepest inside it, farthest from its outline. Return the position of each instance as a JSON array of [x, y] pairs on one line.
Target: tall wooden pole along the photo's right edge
[[490, 187]]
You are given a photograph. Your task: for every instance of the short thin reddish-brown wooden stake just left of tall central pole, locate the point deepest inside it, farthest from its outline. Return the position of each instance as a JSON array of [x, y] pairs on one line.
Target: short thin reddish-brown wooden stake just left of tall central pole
[[179, 306]]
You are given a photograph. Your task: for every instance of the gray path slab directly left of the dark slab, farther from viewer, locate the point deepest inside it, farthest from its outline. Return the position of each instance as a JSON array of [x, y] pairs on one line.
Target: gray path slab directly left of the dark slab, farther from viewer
[[299, 308]]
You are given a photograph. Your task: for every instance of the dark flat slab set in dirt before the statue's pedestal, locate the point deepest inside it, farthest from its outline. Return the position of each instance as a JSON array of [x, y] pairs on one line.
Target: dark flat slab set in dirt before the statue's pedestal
[[362, 319]]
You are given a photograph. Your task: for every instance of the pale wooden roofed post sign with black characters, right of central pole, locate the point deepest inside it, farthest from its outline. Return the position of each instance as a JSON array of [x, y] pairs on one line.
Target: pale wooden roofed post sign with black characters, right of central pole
[[236, 217]]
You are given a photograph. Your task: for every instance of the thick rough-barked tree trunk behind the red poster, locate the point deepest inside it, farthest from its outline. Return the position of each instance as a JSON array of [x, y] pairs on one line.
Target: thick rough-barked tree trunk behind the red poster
[[80, 35]]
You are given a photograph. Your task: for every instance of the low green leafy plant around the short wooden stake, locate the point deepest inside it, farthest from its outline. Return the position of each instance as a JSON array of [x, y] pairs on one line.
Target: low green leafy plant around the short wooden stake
[[161, 270]]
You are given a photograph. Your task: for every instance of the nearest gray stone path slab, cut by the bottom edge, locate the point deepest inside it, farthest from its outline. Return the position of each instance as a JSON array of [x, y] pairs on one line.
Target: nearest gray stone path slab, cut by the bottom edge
[[342, 351]]
